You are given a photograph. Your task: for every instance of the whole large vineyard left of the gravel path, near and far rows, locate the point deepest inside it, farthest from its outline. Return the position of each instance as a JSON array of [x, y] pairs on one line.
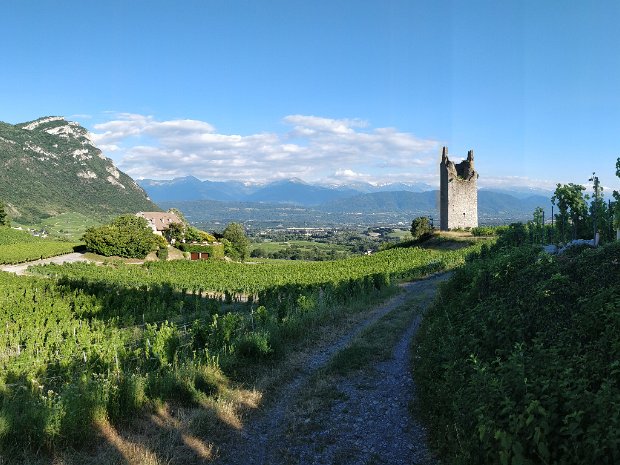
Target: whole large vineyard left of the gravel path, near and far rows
[[106, 342]]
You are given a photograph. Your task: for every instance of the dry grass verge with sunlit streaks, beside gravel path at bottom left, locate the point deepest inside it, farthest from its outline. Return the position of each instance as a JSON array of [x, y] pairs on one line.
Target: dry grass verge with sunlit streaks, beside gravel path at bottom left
[[165, 433]]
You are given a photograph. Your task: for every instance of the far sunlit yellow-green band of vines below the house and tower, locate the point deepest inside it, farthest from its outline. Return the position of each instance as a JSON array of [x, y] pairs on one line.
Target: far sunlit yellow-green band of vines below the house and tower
[[252, 278]]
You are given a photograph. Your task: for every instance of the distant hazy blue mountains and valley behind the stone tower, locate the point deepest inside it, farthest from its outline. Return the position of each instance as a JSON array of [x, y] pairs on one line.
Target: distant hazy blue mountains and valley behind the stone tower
[[292, 202]]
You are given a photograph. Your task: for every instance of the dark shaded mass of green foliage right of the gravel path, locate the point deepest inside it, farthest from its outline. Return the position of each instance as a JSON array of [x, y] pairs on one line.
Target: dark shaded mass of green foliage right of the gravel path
[[517, 361]]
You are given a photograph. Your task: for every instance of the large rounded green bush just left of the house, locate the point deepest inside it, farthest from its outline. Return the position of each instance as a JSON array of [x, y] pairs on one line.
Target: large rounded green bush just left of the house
[[127, 236]]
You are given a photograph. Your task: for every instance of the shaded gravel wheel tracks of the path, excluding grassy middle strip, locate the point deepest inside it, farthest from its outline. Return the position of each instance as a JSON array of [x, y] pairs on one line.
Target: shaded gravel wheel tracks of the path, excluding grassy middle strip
[[369, 421]]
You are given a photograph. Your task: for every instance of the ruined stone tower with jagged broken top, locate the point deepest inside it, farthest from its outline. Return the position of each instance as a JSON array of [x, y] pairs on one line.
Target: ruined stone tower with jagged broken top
[[458, 193]]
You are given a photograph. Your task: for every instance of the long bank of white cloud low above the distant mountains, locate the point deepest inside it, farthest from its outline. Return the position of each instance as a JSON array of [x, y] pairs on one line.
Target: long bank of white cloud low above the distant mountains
[[315, 148]]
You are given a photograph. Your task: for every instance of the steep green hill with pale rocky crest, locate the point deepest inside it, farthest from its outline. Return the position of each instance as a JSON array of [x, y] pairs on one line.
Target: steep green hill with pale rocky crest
[[50, 166]]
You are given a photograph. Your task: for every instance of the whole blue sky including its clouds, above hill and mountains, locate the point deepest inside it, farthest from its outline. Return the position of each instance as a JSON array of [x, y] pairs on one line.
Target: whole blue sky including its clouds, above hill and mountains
[[325, 90]]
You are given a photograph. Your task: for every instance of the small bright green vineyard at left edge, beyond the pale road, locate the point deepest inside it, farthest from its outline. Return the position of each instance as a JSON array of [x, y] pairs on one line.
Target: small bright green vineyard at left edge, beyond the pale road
[[19, 246]]
